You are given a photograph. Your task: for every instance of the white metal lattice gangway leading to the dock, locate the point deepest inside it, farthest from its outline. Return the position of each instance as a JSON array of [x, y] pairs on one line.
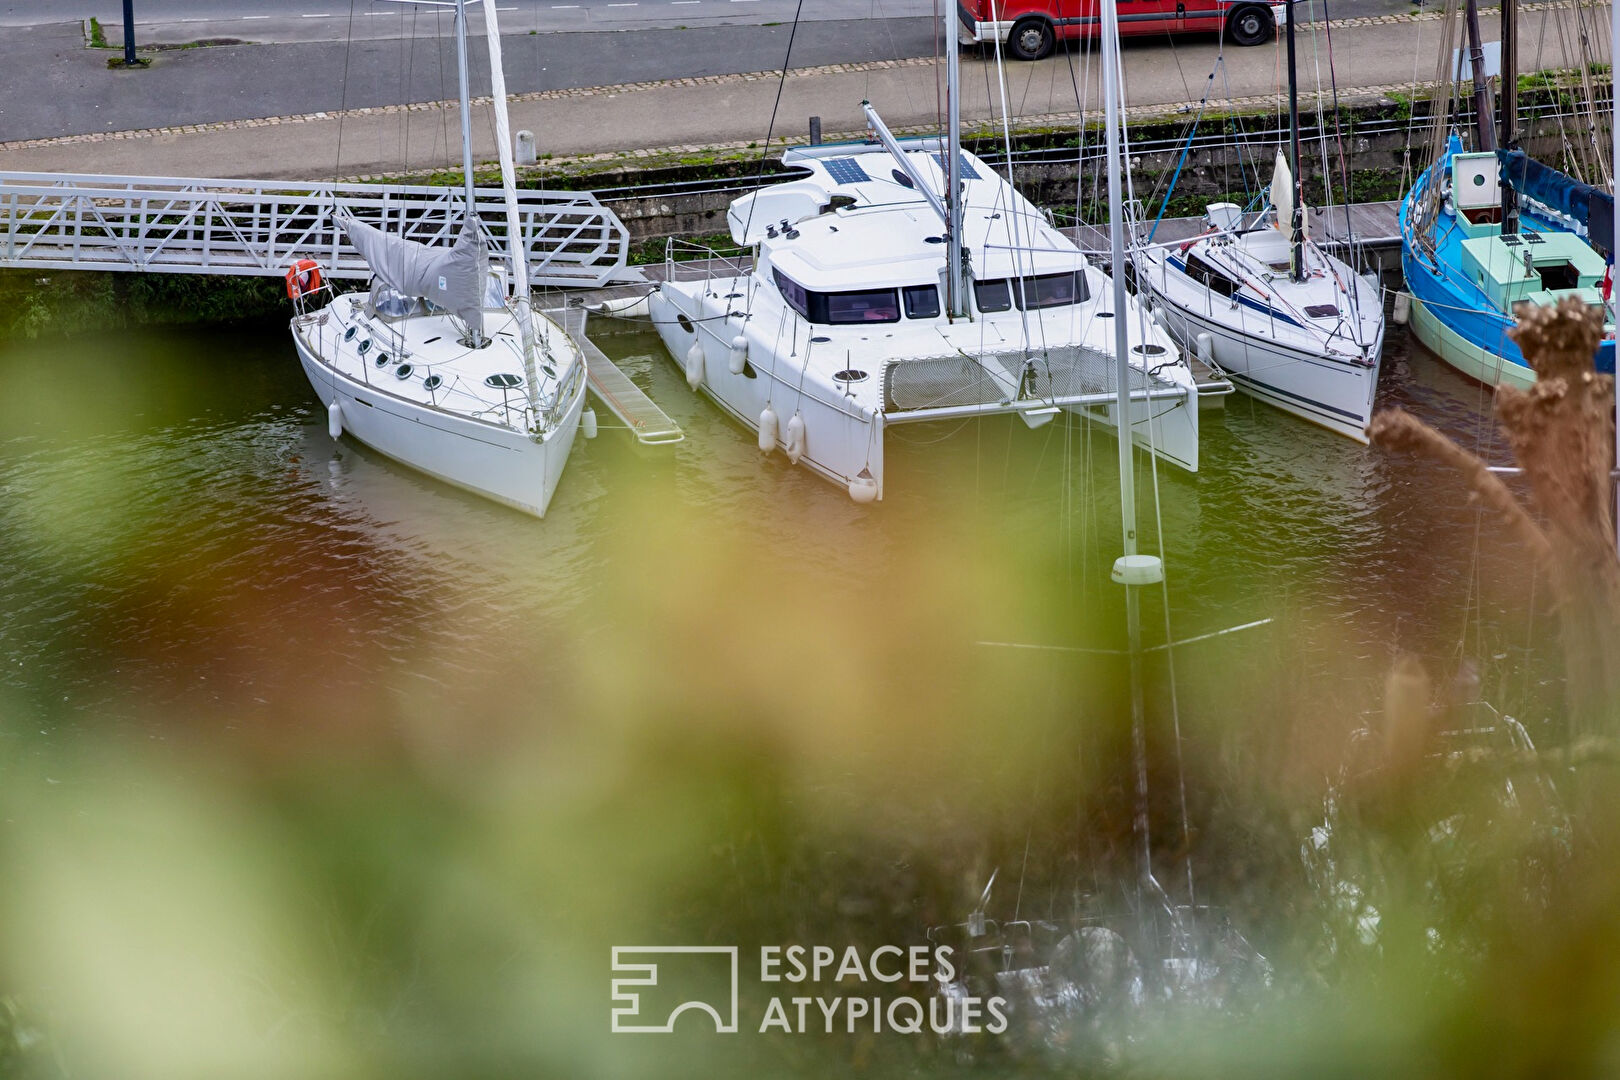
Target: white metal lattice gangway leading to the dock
[[257, 227]]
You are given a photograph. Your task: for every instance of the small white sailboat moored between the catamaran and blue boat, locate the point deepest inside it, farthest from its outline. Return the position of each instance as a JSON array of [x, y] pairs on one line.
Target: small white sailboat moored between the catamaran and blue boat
[[1289, 323]]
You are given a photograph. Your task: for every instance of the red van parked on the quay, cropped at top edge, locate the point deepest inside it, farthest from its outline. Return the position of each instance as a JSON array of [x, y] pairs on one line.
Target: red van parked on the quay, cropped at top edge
[[1031, 28]]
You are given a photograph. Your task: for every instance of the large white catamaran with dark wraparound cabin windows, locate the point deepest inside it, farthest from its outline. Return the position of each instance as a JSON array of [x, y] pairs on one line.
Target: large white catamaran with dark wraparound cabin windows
[[908, 283]]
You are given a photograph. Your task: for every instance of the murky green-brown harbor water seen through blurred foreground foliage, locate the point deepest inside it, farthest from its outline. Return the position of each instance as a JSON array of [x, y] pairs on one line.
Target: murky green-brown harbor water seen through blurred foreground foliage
[[315, 767]]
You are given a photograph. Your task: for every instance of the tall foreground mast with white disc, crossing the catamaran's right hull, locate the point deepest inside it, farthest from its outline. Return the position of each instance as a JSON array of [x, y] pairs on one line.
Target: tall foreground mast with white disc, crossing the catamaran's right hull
[[1133, 616]]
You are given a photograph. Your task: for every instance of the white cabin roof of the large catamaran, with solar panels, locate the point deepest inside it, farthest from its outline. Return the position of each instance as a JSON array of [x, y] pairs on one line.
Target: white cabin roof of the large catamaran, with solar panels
[[861, 224]]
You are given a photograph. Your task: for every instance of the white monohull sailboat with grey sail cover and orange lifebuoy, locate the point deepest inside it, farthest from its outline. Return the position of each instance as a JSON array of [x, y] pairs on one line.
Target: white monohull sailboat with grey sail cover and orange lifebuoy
[[438, 367]]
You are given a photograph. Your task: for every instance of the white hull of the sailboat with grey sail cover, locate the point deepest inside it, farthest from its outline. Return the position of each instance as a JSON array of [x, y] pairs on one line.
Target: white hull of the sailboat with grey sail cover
[[488, 461]]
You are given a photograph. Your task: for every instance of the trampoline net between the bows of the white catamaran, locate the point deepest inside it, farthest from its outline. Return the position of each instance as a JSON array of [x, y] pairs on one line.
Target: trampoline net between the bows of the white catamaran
[[997, 378]]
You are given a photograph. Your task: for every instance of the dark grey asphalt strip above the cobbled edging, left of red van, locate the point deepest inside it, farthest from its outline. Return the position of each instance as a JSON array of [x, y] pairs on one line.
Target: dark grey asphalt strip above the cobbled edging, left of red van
[[74, 93]]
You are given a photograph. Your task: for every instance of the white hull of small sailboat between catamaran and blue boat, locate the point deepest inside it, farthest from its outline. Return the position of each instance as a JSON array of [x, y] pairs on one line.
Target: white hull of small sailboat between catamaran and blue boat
[[1328, 393]]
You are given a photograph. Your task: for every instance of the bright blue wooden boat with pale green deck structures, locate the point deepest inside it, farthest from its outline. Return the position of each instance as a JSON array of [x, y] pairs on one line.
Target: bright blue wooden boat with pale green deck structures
[[1488, 231]]
